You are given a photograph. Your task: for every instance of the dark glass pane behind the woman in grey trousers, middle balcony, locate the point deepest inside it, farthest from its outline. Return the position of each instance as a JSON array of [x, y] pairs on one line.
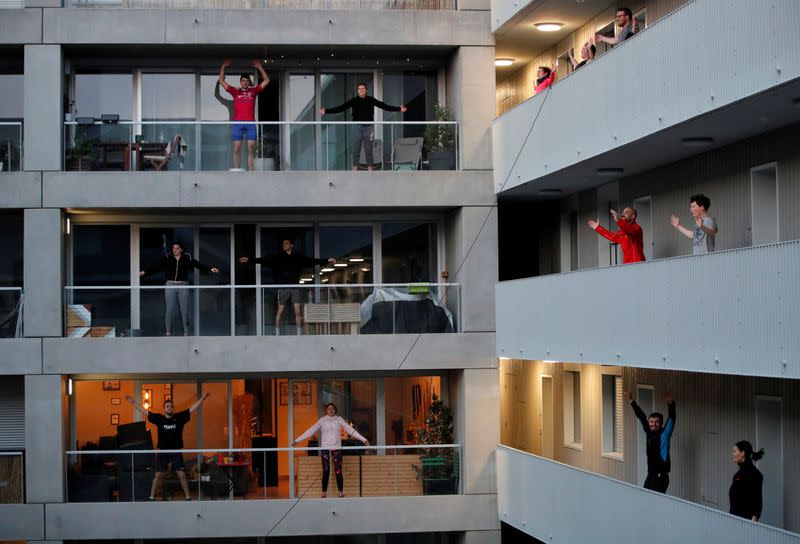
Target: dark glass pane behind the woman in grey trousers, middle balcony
[[154, 245]]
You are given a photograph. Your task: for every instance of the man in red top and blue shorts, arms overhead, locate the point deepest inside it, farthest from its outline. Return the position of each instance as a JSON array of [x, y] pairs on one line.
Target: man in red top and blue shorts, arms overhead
[[244, 106]]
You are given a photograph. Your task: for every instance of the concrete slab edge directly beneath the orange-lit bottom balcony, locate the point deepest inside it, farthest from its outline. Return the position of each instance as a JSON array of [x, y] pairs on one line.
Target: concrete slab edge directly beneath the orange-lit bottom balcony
[[218, 519]]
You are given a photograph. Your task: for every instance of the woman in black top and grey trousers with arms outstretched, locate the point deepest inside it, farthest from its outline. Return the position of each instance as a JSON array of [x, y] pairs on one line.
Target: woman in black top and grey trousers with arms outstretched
[[176, 269]]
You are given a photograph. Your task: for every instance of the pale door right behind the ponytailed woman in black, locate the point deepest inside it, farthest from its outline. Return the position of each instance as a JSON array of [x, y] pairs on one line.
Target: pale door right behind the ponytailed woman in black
[[769, 435]]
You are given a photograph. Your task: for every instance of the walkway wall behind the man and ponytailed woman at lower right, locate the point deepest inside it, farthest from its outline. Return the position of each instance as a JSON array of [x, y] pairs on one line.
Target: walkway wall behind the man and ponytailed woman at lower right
[[713, 412]]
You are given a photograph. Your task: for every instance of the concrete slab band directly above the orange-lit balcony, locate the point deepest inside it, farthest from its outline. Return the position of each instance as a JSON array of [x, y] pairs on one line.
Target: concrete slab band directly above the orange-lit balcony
[[335, 353]]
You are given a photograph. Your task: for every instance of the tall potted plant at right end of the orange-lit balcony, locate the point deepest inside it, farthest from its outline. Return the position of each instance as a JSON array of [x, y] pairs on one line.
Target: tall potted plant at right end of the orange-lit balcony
[[438, 468]]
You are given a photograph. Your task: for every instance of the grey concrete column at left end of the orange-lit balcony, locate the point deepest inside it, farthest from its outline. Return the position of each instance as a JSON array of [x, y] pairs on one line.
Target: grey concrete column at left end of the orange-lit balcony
[[45, 425]]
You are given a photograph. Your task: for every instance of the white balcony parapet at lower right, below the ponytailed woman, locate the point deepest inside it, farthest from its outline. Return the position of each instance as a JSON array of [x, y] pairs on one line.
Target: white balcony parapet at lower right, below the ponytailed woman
[[561, 504]]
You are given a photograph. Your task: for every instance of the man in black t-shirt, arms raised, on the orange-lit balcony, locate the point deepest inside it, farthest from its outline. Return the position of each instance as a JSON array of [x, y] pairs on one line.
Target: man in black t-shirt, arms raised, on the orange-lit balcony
[[170, 437]]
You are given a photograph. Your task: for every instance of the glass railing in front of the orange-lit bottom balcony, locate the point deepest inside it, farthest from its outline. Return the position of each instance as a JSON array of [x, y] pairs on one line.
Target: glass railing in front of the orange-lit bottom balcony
[[261, 473]]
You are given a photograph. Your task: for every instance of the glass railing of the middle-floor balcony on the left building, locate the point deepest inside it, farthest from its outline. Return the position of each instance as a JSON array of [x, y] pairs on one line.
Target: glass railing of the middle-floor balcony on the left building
[[252, 310]]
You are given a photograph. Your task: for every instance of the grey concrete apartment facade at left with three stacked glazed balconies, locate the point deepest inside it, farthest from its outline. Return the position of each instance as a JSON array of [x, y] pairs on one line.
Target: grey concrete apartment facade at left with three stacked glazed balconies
[[118, 142]]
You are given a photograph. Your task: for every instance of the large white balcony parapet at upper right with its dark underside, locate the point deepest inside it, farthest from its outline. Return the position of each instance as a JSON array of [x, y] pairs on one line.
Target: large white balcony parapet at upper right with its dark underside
[[683, 76]]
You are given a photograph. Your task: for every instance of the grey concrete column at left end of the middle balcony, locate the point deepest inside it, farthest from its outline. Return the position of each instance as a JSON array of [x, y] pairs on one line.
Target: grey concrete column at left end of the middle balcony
[[42, 272]]
